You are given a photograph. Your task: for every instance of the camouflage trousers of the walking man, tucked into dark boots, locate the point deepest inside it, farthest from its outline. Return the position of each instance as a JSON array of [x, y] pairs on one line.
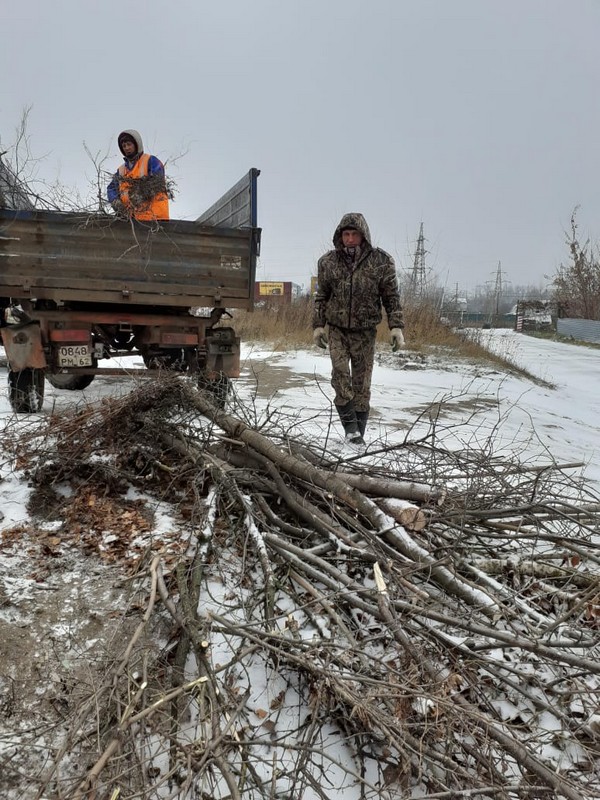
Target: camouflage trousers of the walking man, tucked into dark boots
[[352, 354]]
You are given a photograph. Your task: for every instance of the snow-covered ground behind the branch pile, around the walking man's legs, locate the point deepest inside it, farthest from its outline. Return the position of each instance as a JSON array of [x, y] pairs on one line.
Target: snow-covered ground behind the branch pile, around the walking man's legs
[[559, 421]]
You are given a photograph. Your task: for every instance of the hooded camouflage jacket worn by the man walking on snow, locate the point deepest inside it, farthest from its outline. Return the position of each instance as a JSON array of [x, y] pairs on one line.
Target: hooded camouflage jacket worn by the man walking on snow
[[350, 296]]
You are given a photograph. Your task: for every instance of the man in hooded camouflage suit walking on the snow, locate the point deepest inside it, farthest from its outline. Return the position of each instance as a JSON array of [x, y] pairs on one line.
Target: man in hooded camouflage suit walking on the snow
[[354, 281]]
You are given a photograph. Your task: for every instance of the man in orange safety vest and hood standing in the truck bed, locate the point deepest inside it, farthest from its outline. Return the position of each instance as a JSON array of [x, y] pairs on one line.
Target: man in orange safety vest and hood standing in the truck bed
[[138, 188]]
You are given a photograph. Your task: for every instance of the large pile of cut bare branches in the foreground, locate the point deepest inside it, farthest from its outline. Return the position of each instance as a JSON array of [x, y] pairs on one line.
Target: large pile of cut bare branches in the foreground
[[333, 627]]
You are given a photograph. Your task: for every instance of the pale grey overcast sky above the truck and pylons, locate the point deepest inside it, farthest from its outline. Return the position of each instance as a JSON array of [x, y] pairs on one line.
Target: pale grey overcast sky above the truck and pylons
[[479, 118]]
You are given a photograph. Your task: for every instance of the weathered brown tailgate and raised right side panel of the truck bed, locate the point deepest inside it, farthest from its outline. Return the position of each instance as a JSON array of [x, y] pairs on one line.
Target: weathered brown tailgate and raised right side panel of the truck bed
[[83, 258]]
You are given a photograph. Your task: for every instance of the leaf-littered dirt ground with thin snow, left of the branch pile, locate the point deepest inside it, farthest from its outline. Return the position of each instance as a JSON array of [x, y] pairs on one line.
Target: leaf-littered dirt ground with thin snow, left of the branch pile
[[73, 592]]
